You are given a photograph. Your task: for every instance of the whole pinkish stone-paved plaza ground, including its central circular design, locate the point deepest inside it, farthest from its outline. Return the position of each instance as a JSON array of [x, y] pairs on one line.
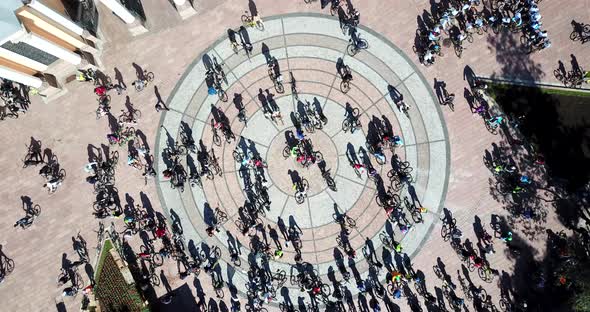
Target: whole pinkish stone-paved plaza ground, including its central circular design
[[443, 147]]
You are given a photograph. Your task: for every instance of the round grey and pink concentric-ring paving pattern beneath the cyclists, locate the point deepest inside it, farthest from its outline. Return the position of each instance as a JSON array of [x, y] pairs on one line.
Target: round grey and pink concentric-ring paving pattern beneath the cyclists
[[309, 46]]
